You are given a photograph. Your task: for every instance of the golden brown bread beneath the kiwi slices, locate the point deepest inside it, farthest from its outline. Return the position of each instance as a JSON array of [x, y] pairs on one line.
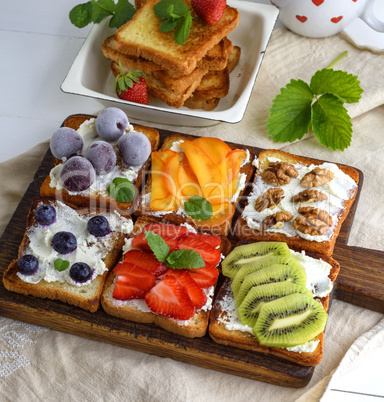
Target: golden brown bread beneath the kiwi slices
[[225, 326]]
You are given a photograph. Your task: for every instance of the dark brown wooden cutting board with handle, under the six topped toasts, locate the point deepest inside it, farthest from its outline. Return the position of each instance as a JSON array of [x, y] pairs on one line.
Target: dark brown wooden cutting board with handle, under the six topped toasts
[[352, 287]]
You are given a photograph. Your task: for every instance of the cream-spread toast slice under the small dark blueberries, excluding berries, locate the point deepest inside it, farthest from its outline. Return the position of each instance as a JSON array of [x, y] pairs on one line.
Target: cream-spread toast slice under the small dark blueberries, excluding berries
[[100, 253]]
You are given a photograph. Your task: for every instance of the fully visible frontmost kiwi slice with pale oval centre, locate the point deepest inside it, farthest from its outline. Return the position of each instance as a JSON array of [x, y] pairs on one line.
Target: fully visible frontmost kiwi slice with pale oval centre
[[290, 321]]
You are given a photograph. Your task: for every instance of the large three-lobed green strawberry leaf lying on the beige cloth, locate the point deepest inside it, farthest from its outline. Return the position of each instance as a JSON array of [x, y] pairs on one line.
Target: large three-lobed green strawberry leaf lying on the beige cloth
[[319, 105]]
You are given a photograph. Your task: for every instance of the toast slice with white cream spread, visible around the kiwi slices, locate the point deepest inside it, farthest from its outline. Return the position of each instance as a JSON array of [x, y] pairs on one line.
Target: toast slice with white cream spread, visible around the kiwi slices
[[226, 328]]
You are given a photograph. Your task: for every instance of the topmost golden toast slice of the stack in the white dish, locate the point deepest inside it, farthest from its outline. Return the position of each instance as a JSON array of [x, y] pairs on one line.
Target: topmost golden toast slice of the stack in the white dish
[[142, 37]]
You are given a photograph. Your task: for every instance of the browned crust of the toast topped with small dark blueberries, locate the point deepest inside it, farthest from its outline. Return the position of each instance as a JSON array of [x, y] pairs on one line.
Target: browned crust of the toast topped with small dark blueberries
[[88, 298]]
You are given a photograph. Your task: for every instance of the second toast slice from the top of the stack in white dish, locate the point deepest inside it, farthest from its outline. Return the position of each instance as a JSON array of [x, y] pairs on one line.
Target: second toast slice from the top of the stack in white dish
[[215, 59]]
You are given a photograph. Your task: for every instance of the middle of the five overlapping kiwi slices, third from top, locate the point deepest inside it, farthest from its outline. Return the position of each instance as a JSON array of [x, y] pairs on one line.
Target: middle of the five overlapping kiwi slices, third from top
[[273, 273]]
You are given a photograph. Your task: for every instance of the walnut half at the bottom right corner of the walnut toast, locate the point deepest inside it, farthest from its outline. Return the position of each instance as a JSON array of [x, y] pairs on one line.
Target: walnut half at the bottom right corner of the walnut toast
[[312, 221]]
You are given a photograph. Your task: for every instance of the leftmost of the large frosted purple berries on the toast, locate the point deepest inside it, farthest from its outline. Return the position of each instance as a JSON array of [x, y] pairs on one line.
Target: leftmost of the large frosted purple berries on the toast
[[65, 142]]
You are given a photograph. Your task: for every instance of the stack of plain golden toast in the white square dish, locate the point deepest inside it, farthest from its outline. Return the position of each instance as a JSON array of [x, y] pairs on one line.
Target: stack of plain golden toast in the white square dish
[[195, 74]]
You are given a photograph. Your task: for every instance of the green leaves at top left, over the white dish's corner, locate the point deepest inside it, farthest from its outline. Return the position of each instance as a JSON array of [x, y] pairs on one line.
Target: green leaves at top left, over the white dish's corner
[[96, 10]]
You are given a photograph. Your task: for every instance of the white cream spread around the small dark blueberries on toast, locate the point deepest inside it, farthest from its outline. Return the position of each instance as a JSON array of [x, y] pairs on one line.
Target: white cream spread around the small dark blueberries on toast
[[90, 250]]
